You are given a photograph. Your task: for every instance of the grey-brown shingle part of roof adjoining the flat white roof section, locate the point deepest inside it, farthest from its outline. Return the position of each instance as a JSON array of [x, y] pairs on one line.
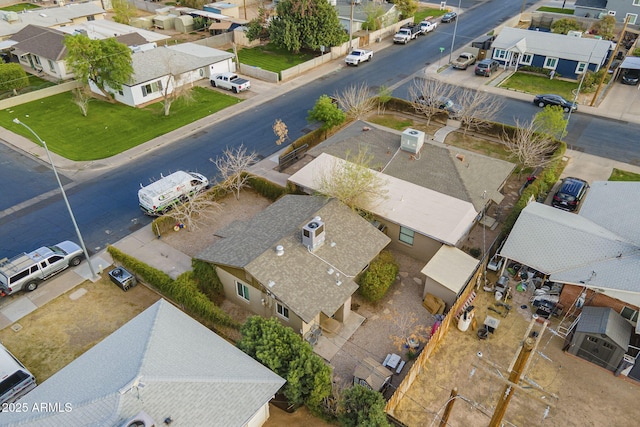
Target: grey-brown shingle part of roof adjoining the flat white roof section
[[437, 168]]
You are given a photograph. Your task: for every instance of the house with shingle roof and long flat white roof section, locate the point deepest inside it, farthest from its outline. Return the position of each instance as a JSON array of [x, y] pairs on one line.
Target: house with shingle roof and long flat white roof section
[[434, 195]]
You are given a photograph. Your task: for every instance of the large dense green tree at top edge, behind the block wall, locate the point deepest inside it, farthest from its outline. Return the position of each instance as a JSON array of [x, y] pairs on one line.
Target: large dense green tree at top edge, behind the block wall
[[306, 24]]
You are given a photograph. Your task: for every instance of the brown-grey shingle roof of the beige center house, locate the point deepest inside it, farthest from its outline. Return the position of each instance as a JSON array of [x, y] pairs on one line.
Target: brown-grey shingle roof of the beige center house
[[301, 278]]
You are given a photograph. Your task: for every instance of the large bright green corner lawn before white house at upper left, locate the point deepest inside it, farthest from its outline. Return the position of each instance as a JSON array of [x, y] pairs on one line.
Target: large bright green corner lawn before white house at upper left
[[108, 129]]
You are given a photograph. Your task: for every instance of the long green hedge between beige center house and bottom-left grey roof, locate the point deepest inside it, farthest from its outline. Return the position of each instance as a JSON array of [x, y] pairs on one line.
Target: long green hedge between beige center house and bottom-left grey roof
[[184, 290]]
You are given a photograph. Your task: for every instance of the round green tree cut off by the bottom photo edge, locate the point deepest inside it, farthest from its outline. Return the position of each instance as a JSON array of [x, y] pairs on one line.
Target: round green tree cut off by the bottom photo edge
[[361, 406]]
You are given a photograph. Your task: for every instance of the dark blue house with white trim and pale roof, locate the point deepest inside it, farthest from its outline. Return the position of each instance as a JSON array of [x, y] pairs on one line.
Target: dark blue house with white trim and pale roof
[[566, 55]]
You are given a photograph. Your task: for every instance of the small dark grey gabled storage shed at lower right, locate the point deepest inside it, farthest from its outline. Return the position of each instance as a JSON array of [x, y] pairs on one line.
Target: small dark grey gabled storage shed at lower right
[[601, 337]]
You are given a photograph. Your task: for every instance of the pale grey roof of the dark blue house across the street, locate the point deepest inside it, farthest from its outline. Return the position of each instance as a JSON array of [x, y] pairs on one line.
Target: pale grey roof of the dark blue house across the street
[[581, 49]]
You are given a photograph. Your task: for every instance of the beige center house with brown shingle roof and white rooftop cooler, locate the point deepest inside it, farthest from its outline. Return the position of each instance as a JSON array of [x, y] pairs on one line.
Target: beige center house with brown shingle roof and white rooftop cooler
[[297, 260]]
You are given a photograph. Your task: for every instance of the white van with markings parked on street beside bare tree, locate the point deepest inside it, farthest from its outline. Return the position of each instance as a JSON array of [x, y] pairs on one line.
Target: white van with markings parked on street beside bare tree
[[160, 196]]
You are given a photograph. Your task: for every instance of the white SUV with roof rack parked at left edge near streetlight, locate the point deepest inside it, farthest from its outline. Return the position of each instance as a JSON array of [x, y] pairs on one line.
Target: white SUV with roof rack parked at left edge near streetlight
[[28, 270]]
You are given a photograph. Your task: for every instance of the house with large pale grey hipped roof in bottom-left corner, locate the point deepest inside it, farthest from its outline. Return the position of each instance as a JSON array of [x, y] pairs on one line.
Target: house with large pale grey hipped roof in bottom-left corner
[[161, 367]]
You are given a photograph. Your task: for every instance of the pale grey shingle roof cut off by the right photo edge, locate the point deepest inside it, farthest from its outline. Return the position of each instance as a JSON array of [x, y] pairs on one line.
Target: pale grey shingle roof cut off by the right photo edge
[[599, 247]]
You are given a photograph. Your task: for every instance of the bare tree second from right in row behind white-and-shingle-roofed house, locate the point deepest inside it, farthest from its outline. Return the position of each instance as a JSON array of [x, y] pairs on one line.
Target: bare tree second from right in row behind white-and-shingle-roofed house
[[478, 108]]
